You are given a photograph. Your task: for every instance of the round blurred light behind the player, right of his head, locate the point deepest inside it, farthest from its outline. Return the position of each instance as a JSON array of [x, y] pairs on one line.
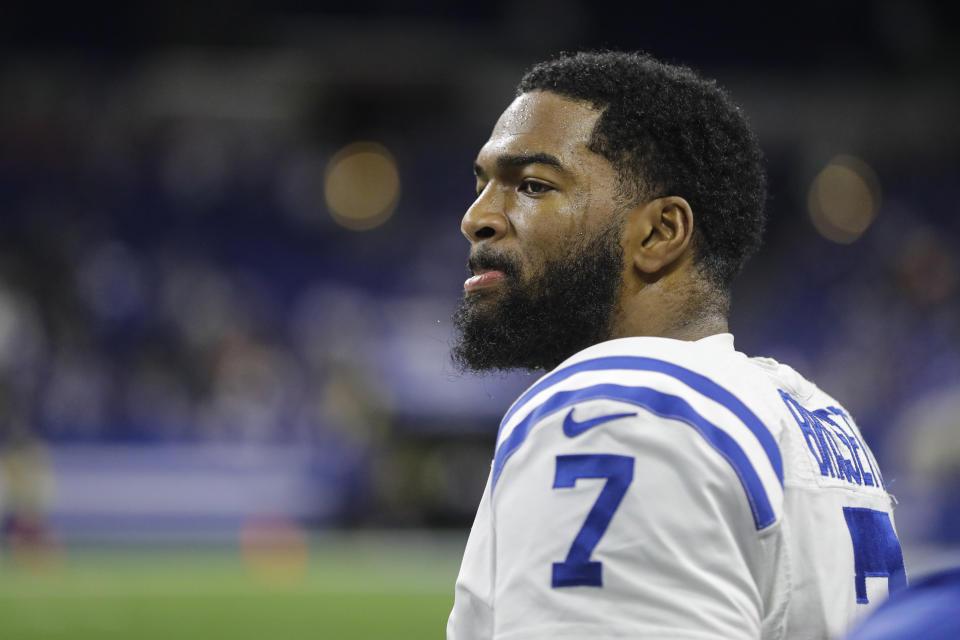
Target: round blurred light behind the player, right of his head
[[844, 199]]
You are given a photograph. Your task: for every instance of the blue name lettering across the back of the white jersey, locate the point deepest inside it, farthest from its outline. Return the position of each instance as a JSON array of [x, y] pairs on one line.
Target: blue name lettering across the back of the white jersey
[[835, 446]]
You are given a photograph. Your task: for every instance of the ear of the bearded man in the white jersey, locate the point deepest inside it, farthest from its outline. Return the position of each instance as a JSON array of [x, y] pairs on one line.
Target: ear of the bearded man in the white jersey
[[658, 233]]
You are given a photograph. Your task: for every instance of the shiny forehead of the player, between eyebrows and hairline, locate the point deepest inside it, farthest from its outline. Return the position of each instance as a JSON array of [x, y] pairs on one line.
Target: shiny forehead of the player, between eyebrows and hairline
[[541, 121]]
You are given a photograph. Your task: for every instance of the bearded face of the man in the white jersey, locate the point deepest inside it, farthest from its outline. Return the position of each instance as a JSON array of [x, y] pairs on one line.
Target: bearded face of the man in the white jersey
[[545, 235]]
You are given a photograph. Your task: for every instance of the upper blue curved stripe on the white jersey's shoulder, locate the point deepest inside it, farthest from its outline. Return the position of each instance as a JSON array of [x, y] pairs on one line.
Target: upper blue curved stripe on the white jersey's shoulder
[[695, 381]]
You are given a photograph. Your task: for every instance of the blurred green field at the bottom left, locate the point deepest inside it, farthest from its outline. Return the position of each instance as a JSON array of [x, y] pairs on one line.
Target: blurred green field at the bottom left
[[394, 587]]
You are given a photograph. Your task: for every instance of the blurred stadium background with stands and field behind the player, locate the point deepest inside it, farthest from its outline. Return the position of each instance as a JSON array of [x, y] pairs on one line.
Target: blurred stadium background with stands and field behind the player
[[230, 248]]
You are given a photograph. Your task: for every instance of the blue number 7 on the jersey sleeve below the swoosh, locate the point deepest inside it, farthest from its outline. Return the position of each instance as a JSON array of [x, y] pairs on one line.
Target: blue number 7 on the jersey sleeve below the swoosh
[[578, 569]]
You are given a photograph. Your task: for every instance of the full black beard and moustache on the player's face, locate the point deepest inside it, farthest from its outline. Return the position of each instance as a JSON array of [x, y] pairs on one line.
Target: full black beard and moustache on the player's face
[[567, 307]]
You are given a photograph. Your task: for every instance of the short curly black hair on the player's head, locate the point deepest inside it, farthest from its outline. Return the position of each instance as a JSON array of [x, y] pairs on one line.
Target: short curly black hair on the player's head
[[669, 131]]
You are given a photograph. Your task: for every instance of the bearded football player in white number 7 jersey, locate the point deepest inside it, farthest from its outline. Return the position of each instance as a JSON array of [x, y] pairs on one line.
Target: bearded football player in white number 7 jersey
[[656, 482]]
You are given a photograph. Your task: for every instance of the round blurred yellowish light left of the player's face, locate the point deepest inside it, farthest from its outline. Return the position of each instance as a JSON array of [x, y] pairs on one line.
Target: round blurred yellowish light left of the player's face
[[362, 186]]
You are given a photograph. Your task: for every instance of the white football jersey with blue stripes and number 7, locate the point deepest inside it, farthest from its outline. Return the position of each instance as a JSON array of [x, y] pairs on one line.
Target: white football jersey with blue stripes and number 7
[[658, 488]]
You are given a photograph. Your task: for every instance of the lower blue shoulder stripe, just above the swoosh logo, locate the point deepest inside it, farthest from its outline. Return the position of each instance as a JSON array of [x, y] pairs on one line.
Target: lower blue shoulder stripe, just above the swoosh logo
[[663, 405]]
